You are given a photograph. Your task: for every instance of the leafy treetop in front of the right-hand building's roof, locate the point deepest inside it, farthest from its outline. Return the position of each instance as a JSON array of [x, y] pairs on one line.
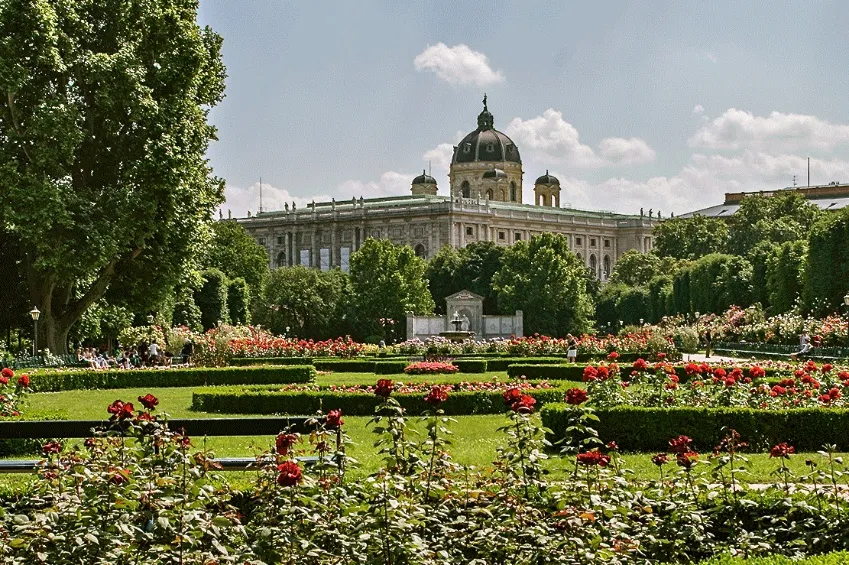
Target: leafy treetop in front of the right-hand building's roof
[[782, 217]]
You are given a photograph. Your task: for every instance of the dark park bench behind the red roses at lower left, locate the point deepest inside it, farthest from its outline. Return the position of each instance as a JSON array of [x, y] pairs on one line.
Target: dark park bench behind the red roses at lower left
[[194, 428]]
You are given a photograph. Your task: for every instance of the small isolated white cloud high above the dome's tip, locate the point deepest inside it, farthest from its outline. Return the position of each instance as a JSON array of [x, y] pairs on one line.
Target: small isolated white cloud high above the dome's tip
[[457, 65]]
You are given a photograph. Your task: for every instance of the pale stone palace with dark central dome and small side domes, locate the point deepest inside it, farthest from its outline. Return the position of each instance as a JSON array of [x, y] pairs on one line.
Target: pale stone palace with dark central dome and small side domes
[[483, 202]]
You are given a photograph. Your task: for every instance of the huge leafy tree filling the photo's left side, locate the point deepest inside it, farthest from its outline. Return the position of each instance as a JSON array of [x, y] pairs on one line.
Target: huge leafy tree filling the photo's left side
[[103, 140]]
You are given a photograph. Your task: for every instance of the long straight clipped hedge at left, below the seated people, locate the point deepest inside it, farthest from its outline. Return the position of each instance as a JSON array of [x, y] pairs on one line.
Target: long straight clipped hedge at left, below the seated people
[[158, 378]]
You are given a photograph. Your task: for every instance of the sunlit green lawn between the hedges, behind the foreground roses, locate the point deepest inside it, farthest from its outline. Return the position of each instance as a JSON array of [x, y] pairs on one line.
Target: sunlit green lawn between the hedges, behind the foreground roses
[[475, 438]]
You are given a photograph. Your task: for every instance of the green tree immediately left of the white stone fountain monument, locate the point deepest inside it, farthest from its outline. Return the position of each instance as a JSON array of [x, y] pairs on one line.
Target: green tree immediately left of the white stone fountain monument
[[387, 281]]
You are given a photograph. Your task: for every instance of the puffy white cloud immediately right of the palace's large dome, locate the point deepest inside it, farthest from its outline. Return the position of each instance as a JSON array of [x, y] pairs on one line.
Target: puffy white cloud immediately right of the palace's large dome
[[557, 140]]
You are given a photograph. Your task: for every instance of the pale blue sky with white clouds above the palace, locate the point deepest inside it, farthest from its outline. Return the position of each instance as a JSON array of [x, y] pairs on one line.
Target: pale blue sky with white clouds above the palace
[[664, 105]]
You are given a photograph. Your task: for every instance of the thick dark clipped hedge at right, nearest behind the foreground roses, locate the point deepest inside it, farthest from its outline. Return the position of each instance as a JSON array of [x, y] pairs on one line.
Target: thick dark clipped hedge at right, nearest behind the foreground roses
[[650, 429]]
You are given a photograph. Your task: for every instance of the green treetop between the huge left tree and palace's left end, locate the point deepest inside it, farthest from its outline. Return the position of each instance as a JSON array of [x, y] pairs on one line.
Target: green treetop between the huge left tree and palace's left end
[[235, 253]]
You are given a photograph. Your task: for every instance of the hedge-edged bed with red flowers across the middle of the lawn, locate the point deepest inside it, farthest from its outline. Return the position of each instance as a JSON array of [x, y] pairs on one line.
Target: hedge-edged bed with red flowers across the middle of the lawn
[[469, 398]]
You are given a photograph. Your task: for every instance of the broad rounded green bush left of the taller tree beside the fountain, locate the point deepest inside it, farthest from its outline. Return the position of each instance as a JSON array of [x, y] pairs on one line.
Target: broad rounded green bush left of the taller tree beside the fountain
[[309, 302]]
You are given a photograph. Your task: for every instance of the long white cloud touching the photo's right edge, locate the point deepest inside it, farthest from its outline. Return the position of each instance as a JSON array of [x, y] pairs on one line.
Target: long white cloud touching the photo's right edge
[[776, 133]]
